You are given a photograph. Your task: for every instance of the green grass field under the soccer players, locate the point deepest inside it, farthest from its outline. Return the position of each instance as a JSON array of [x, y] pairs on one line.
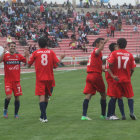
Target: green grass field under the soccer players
[[64, 113]]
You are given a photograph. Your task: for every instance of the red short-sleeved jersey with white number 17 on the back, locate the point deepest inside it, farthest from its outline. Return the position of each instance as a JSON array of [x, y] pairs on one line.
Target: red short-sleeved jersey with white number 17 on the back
[[123, 62]]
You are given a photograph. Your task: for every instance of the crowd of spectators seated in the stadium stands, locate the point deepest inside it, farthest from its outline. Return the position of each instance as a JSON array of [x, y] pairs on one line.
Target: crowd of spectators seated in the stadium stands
[[33, 20]]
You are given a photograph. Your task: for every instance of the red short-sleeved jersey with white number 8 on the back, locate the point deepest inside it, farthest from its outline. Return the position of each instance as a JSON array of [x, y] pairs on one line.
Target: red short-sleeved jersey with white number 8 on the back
[[45, 60]]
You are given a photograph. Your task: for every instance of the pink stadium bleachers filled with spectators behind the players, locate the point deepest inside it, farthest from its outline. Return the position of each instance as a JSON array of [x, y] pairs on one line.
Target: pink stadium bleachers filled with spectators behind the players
[[70, 31]]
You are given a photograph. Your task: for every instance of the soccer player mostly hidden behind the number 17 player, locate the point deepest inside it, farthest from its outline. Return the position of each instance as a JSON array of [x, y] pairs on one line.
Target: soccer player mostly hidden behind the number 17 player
[[111, 90]]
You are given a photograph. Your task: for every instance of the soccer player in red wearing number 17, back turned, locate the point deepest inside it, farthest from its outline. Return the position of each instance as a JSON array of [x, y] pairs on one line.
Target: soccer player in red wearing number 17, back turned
[[123, 63]]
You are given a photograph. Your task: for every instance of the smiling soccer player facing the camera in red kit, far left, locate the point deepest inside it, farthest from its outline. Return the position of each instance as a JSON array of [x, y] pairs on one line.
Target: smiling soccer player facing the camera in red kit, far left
[[12, 61]]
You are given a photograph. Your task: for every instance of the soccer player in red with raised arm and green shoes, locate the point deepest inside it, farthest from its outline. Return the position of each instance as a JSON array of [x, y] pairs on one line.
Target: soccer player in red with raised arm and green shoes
[[94, 80]]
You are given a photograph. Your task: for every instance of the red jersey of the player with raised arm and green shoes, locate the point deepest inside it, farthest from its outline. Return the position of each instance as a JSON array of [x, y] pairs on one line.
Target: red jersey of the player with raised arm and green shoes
[[95, 62]]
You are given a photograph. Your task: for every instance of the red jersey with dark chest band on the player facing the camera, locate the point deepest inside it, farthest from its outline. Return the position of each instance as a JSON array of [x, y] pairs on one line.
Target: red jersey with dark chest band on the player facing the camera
[[12, 66]]
